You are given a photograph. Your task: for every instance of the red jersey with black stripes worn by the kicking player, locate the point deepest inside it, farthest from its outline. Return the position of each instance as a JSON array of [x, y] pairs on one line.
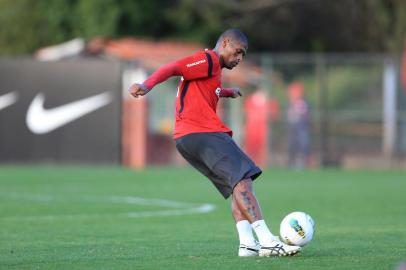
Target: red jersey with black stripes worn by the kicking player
[[198, 93]]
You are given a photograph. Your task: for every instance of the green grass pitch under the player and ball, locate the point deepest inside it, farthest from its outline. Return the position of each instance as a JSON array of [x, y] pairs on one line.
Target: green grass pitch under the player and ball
[[162, 218]]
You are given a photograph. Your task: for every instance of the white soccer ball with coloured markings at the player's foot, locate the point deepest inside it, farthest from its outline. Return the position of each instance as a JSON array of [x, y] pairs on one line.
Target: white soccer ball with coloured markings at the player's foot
[[297, 229]]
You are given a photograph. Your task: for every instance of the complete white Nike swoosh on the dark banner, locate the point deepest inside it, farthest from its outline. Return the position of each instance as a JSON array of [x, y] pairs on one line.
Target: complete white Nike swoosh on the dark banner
[[40, 120]]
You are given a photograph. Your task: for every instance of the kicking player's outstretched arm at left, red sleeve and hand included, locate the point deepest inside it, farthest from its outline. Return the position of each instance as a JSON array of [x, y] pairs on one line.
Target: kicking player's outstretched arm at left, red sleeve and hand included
[[199, 65]]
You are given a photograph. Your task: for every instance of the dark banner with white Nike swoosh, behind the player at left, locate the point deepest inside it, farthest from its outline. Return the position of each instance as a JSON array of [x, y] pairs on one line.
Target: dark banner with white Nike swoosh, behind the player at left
[[60, 112]]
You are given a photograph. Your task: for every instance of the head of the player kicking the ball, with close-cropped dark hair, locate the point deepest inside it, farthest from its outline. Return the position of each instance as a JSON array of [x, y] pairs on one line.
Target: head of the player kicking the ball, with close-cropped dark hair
[[231, 46]]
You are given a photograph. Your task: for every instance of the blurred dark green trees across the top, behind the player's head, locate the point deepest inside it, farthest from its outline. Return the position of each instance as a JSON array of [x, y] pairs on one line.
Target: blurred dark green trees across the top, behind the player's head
[[295, 25]]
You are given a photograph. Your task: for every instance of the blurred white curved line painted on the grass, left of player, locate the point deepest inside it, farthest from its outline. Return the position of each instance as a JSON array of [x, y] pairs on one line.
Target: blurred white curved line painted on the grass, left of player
[[175, 208]]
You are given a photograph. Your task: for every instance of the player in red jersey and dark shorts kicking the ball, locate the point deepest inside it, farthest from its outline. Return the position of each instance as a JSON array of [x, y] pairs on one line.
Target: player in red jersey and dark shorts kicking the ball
[[206, 143]]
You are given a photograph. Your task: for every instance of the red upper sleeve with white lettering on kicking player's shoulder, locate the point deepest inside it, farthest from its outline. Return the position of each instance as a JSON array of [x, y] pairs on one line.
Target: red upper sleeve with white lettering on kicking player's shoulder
[[197, 66]]
